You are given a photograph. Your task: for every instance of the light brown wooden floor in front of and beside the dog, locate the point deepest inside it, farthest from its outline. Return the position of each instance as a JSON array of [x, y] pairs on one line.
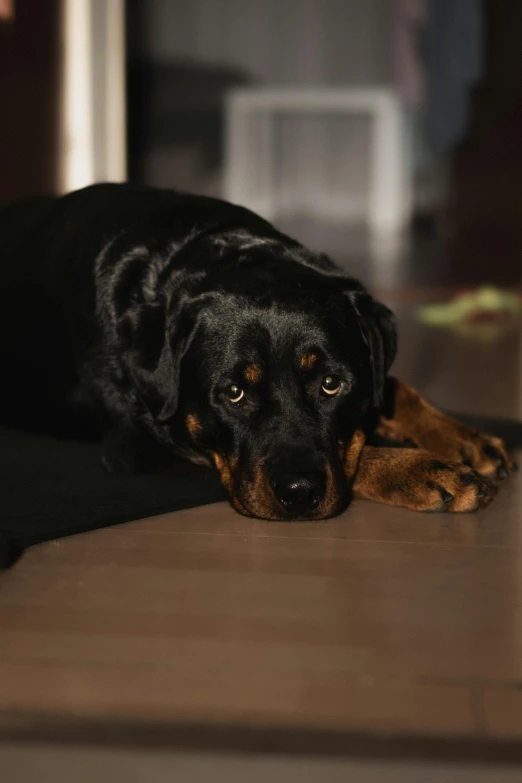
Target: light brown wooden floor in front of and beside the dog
[[382, 632]]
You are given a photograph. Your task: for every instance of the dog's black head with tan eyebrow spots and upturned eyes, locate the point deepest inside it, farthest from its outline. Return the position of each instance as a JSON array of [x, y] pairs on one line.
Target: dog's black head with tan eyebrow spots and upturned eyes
[[264, 366]]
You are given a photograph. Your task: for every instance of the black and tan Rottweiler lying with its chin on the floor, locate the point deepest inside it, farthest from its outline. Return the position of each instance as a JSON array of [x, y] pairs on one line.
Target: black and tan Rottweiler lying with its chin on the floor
[[185, 326]]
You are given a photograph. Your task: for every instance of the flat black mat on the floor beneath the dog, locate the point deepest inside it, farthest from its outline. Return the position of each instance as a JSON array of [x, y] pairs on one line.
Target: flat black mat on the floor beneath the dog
[[53, 488]]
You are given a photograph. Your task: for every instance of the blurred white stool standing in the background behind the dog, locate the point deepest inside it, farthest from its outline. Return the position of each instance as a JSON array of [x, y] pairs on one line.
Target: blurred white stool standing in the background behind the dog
[[250, 153]]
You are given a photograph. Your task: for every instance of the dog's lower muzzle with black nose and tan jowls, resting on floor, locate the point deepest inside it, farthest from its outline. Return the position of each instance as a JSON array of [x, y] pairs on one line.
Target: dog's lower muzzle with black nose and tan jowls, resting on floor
[[309, 495]]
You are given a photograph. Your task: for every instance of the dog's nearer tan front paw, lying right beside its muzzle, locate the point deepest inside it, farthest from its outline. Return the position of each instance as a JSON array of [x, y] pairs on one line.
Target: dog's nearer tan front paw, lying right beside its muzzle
[[419, 480]]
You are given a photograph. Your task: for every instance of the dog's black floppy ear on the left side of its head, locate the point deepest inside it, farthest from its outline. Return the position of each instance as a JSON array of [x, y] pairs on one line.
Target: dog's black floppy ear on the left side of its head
[[153, 344]]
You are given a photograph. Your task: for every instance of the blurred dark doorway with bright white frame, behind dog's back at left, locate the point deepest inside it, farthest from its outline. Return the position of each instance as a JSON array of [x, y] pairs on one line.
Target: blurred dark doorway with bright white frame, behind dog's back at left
[[62, 96]]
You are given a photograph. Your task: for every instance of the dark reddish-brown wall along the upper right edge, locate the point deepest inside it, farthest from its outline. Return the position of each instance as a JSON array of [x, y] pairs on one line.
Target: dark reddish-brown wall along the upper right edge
[[487, 198]]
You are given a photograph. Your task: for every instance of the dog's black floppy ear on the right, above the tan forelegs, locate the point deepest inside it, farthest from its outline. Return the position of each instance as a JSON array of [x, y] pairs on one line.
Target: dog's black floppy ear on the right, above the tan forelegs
[[379, 330]]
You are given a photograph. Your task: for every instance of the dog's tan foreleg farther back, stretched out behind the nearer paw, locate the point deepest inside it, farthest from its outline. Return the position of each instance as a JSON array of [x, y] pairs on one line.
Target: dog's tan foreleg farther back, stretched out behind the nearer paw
[[407, 417]]
